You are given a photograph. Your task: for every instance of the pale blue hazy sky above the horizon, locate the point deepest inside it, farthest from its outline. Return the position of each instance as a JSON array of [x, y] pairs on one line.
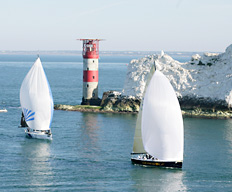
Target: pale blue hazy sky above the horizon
[[126, 25]]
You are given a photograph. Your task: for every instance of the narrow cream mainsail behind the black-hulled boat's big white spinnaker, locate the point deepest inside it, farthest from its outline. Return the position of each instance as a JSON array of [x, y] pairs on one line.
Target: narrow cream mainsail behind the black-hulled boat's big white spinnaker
[[138, 143]]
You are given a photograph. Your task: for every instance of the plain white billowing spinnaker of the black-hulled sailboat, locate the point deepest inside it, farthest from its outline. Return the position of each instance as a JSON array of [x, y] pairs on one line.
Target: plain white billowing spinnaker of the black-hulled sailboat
[[162, 123]]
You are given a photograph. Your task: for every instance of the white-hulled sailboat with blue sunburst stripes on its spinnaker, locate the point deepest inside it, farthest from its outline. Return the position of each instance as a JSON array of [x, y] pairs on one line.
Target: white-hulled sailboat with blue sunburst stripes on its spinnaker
[[37, 103]]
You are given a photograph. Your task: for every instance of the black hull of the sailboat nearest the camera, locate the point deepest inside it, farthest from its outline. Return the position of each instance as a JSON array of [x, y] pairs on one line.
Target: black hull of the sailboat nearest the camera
[[155, 163]]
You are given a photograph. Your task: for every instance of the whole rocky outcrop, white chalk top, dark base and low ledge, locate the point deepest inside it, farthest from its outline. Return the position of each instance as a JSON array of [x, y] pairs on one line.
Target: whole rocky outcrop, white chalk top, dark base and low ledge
[[202, 85]]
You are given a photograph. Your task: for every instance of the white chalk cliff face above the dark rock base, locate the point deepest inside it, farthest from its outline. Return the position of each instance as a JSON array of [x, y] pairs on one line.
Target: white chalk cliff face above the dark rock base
[[208, 76]]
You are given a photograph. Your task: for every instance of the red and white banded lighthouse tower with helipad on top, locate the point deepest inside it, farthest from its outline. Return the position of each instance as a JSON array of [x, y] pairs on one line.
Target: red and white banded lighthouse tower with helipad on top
[[90, 55]]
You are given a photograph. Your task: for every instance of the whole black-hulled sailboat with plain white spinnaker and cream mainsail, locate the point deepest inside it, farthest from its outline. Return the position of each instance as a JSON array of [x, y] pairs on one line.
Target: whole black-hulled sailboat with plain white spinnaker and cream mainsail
[[159, 132]]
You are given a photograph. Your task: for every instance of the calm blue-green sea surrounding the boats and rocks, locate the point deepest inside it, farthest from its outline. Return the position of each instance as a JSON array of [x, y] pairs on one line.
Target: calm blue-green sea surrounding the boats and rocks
[[91, 151]]
